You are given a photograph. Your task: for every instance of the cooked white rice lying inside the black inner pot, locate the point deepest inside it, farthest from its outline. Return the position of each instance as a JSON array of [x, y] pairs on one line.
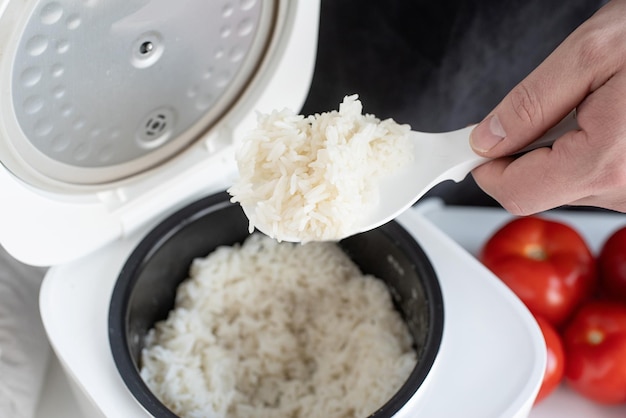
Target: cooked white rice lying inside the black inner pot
[[270, 329]]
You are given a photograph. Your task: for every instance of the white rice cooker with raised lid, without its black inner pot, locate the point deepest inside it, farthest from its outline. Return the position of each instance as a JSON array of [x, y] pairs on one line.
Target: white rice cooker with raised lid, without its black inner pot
[[117, 113]]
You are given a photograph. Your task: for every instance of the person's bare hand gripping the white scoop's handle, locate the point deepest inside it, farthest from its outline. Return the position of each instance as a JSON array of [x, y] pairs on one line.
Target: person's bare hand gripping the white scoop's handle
[[587, 72]]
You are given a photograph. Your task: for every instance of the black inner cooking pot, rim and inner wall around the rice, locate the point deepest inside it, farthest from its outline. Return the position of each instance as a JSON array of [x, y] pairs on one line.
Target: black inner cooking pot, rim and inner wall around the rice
[[145, 290]]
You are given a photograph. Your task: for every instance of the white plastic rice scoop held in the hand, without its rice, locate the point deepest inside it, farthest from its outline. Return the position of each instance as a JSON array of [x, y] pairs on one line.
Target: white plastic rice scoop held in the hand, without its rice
[[437, 157]]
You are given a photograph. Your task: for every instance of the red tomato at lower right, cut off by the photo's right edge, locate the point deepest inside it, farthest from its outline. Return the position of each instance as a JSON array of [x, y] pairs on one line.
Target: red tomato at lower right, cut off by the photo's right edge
[[595, 349]]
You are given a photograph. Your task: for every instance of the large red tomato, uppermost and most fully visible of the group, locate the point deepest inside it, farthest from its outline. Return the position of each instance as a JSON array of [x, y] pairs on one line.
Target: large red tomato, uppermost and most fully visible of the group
[[547, 264]]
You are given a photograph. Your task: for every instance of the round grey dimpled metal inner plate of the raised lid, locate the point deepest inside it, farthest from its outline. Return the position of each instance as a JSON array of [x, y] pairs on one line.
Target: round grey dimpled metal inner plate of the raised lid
[[96, 91]]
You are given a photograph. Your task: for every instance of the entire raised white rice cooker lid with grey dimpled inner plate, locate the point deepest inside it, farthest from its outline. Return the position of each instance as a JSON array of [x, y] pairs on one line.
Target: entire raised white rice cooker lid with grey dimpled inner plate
[[113, 112]]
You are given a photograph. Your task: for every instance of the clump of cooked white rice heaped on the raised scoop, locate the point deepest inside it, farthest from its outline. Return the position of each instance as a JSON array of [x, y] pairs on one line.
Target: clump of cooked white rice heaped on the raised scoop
[[314, 178]]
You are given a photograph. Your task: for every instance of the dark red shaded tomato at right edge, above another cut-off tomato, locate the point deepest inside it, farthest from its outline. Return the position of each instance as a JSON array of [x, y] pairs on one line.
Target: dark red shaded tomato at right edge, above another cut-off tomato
[[612, 266]]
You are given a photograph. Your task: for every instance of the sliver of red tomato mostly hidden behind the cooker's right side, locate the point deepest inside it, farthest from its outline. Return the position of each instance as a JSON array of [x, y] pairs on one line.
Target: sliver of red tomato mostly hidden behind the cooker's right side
[[555, 365]]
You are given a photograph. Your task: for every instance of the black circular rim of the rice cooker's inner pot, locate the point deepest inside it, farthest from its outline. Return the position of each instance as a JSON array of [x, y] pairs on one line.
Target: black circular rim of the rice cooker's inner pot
[[157, 236]]
